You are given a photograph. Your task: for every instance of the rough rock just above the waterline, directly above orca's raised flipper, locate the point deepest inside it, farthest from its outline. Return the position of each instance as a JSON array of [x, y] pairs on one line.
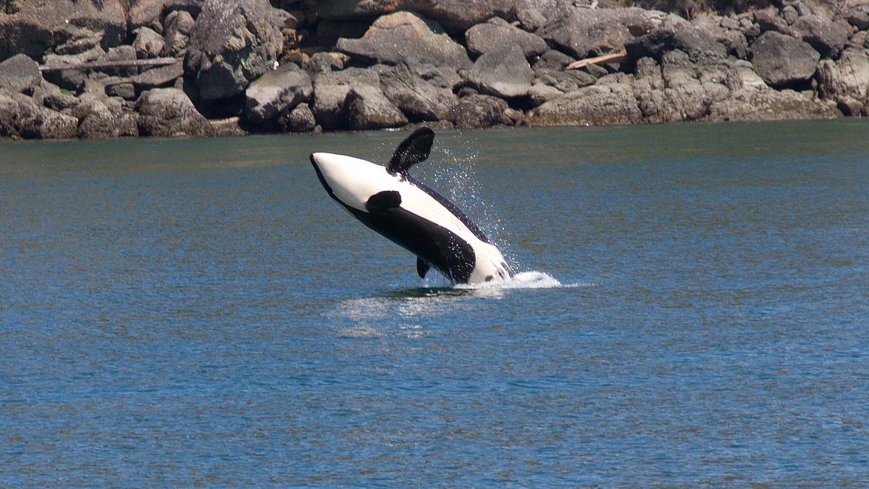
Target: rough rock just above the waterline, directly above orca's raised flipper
[[418, 98]]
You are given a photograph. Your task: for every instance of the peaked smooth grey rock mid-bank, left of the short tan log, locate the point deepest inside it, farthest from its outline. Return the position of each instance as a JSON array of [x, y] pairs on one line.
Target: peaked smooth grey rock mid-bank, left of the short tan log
[[502, 72]]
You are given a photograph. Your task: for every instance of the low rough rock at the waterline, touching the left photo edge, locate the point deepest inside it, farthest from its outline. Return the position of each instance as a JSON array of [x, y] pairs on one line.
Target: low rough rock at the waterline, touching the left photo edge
[[20, 117]]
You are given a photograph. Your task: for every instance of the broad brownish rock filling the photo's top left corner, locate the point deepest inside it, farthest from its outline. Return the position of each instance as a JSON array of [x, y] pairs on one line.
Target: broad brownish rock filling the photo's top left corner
[[69, 26]]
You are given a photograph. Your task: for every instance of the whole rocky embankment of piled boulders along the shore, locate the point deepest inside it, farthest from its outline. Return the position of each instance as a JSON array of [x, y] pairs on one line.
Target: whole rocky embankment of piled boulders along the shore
[[124, 68]]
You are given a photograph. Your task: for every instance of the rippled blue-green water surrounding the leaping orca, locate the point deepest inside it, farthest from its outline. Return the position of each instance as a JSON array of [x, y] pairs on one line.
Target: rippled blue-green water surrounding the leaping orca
[[692, 312]]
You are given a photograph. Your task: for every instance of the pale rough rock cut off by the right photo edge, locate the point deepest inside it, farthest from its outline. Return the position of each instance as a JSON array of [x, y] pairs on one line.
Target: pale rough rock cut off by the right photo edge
[[847, 78]]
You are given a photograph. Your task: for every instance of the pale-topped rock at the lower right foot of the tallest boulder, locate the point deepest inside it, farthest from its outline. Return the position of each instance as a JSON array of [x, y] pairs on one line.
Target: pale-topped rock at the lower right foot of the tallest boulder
[[276, 92]]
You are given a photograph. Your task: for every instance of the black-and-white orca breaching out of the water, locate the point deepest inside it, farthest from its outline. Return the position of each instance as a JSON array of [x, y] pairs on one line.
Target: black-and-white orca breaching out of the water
[[404, 210]]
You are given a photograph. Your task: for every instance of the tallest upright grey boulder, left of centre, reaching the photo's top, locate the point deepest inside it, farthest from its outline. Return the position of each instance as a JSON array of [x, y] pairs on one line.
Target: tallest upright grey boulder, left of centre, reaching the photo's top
[[233, 43]]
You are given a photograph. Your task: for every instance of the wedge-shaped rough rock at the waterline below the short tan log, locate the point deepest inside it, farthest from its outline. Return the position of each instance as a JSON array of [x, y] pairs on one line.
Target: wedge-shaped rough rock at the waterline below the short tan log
[[609, 102]]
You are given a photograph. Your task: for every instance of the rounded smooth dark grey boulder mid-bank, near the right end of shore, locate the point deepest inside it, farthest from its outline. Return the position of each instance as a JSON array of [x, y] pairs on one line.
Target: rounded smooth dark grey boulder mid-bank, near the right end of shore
[[782, 60]]
